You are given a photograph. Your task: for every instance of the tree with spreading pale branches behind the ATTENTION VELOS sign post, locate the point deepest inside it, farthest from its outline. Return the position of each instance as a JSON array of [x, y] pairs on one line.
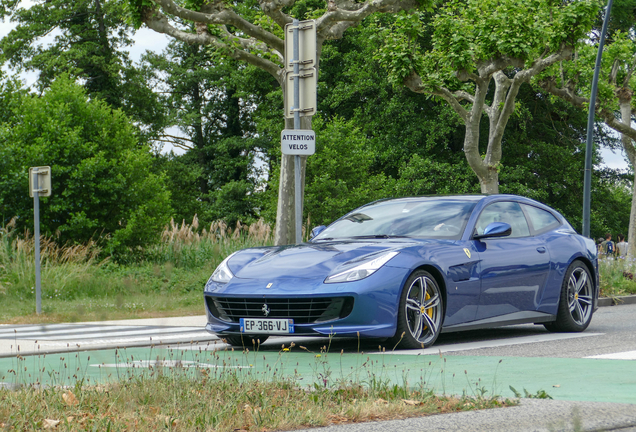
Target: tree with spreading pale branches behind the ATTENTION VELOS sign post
[[252, 32]]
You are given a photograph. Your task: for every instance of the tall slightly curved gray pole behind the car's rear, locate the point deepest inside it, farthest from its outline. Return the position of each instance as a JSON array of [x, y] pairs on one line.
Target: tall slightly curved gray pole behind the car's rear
[[587, 181]]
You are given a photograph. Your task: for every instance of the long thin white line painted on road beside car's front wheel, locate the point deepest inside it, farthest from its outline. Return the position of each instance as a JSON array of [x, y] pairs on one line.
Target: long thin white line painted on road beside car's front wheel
[[436, 349]]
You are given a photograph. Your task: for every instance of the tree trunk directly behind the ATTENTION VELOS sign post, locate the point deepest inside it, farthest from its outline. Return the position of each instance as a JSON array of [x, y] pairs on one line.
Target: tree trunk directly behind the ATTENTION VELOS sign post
[[285, 231]]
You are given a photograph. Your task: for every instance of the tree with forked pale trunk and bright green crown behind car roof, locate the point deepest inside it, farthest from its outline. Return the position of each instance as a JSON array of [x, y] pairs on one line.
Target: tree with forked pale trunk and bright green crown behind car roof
[[476, 57]]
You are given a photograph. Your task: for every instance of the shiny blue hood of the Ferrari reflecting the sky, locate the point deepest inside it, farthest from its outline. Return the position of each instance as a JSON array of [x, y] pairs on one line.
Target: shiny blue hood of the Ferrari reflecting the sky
[[308, 260]]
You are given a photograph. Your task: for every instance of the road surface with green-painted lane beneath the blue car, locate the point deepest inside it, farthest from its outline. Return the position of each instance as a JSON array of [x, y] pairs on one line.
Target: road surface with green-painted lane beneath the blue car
[[590, 375]]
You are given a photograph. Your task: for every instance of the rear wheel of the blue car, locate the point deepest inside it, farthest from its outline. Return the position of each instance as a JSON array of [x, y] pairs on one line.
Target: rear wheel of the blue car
[[576, 302]]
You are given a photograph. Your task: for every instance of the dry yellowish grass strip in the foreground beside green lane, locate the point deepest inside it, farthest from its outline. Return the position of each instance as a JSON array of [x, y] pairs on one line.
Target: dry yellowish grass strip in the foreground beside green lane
[[178, 403]]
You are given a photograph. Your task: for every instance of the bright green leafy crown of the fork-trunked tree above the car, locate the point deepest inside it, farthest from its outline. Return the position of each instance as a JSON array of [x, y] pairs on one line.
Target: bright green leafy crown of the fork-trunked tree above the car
[[465, 33]]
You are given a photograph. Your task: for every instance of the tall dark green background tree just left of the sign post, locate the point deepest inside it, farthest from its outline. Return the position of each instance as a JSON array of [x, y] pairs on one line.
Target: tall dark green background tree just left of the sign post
[[211, 101]]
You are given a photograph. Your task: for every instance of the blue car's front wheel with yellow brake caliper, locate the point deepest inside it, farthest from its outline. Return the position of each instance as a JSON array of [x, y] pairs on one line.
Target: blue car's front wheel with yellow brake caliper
[[420, 312]]
